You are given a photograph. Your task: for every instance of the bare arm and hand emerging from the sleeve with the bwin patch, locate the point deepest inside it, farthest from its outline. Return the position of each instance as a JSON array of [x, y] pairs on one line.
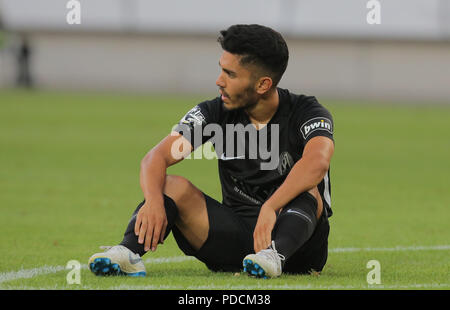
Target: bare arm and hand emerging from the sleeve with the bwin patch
[[305, 175]]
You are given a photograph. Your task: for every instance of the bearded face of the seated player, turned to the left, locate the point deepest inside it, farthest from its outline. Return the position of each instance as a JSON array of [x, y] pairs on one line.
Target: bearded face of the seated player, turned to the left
[[236, 83]]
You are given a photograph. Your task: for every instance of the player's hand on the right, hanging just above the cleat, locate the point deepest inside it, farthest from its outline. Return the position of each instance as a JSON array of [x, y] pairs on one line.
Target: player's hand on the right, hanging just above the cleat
[[262, 235]]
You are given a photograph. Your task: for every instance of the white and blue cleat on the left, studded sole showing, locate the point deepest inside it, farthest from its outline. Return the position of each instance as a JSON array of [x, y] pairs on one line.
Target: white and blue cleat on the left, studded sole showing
[[117, 261]]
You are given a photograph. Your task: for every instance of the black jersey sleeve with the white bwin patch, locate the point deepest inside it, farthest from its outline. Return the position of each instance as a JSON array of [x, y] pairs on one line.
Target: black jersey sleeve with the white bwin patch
[[314, 120]]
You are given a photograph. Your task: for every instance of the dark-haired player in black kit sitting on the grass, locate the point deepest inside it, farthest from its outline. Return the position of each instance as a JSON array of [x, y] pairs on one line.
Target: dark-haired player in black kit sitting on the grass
[[274, 149]]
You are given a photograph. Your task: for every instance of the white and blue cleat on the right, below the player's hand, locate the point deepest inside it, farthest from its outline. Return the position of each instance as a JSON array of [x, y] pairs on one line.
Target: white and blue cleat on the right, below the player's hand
[[264, 264]]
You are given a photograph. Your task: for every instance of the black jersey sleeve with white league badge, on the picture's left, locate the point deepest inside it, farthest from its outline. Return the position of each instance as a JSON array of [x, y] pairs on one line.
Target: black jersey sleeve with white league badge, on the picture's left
[[192, 124]]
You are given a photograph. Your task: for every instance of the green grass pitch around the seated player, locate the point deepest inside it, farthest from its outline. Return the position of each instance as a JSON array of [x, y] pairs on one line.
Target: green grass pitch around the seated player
[[69, 181]]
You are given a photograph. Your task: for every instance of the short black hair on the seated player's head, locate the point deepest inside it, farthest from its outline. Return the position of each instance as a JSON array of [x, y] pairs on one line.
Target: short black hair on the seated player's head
[[258, 45]]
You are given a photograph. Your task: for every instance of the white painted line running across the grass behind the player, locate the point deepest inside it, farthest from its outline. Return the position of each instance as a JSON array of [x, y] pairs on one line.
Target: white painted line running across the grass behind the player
[[33, 272]]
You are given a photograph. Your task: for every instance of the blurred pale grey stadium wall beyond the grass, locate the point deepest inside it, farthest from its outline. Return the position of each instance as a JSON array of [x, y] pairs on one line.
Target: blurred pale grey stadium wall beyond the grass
[[168, 46]]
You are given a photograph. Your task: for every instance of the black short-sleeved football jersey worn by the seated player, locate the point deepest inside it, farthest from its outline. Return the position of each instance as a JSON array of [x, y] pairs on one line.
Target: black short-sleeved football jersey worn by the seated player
[[246, 182]]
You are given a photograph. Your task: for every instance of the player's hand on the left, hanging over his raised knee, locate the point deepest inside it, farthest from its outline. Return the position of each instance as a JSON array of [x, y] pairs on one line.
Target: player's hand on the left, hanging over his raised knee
[[151, 223]]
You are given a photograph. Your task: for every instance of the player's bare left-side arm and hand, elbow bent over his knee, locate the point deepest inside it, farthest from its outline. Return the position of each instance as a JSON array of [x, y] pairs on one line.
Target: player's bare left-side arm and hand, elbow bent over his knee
[[151, 220]]
